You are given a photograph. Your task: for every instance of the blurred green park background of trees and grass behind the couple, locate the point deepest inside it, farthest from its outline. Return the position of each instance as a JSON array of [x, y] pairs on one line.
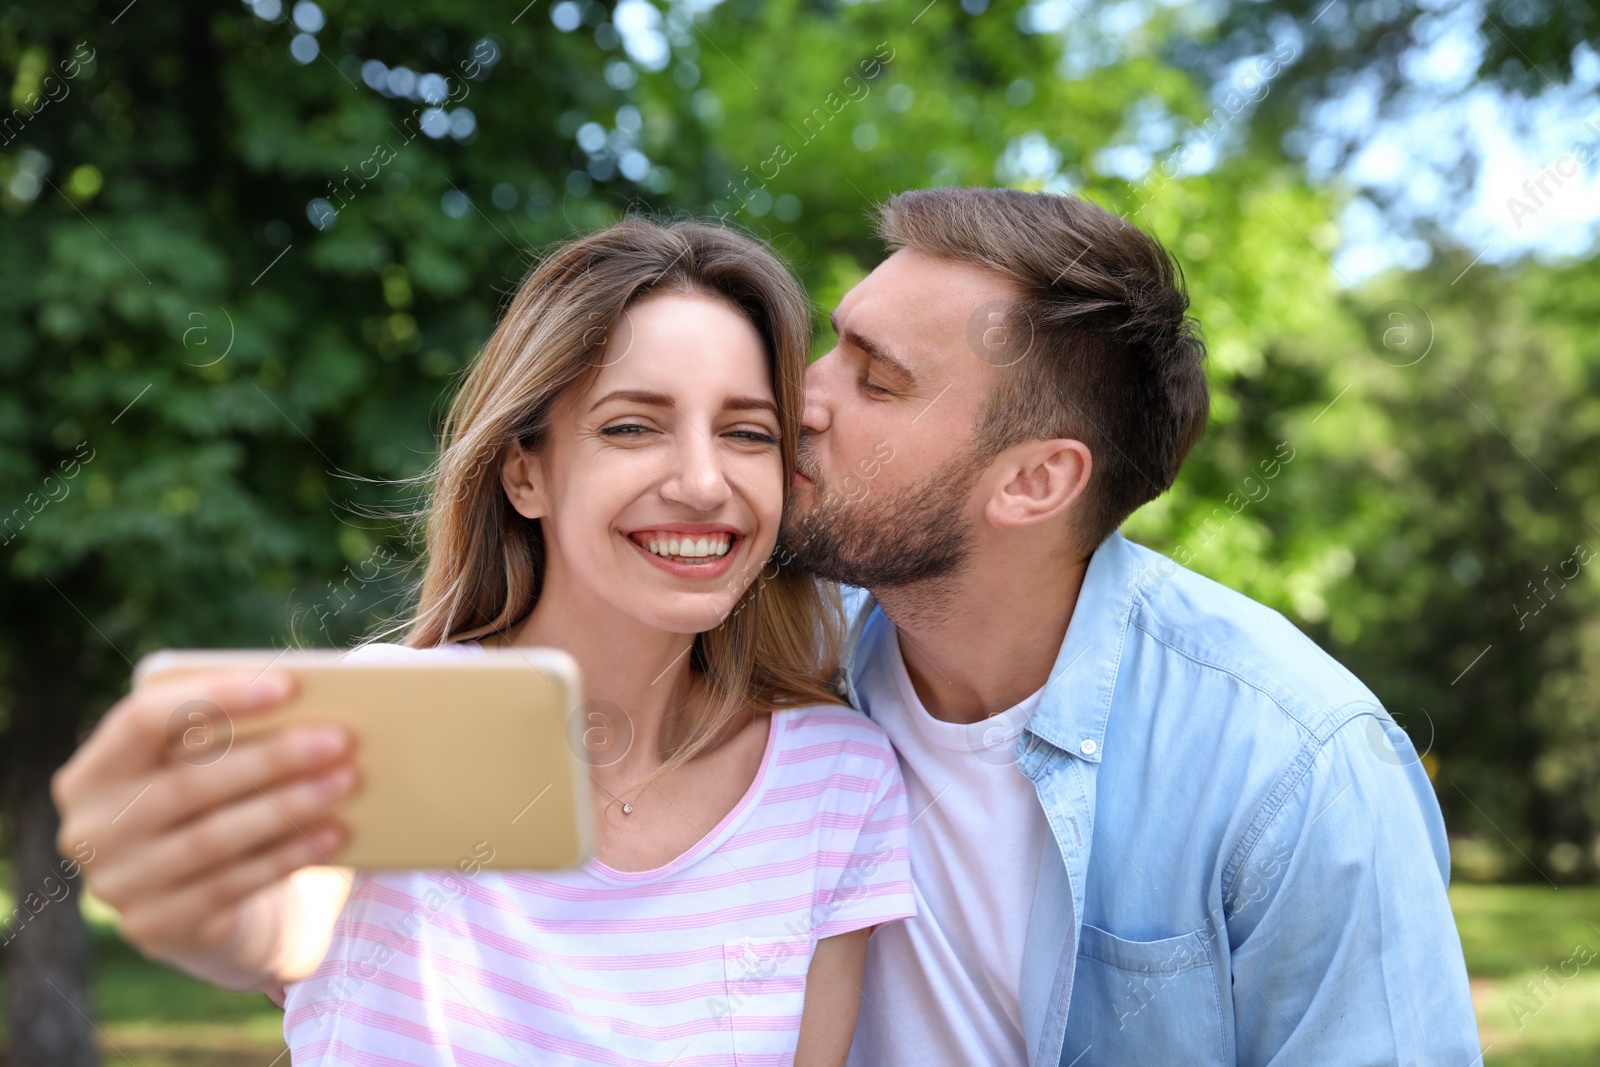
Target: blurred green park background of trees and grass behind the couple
[[247, 250]]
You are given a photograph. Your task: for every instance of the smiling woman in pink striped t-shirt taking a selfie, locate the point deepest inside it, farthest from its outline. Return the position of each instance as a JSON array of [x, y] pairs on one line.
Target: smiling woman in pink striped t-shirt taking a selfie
[[612, 486]]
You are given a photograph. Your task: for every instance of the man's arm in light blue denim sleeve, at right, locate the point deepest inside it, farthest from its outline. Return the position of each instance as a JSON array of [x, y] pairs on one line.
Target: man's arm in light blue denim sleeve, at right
[[1345, 949]]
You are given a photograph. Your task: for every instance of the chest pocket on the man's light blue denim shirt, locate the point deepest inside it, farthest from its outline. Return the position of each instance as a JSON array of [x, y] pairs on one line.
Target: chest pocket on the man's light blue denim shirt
[[1145, 1002]]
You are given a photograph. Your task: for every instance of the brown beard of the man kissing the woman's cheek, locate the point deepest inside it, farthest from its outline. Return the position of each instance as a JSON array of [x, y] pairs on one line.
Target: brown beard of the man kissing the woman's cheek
[[886, 541]]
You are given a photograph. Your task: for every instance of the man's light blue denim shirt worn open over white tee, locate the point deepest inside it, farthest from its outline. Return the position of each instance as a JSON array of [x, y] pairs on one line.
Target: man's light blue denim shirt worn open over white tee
[[1247, 860]]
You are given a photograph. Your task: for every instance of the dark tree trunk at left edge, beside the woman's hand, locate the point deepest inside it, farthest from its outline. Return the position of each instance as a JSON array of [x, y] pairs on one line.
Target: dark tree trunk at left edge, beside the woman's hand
[[46, 943]]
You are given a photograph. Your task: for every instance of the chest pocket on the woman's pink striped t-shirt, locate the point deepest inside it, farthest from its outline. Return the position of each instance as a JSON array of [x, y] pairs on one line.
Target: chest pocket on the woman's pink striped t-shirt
[[766, 989]]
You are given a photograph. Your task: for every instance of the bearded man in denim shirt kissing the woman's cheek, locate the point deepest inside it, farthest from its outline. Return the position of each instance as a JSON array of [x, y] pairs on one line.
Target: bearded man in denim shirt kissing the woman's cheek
[[1151, 821]]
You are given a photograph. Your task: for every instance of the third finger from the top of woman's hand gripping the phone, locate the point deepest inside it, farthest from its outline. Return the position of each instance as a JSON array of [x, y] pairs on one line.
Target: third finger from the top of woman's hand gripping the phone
[[223, 837]]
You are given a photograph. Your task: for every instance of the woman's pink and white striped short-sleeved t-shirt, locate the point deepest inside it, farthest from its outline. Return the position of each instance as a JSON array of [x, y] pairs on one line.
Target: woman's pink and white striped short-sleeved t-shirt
[[698, 964]]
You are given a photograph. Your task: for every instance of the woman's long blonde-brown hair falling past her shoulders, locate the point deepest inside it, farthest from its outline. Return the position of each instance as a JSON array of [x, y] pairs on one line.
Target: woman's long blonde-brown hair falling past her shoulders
[[778, 644]]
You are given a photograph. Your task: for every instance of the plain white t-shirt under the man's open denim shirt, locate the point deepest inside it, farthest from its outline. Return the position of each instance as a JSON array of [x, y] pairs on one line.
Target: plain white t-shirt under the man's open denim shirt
[[943, 988]]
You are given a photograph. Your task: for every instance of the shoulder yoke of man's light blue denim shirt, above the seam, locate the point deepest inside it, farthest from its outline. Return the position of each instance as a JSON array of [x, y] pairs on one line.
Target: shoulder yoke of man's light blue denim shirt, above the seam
[[1230, 641]]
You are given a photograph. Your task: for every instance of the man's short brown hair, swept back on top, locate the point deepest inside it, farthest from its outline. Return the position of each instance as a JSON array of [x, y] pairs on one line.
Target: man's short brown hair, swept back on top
[[1100, 350]]
